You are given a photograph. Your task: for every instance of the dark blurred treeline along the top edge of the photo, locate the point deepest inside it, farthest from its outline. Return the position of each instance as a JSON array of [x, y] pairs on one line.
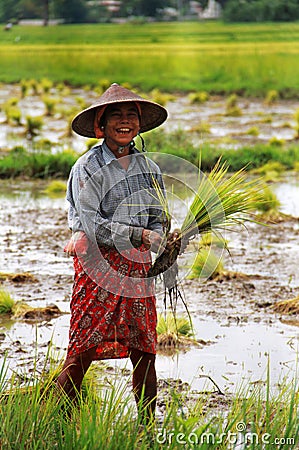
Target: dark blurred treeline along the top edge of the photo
[[84, 11]]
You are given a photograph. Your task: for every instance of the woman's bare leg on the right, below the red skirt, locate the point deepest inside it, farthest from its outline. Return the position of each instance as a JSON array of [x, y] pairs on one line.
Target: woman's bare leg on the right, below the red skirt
[[144, 382]]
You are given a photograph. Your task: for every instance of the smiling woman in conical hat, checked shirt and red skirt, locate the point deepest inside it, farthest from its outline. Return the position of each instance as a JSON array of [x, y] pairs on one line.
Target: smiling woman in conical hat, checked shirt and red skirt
[[117, 220]]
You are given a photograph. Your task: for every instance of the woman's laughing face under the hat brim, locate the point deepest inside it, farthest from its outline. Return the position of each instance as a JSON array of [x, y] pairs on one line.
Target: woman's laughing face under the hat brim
[[121, 124]]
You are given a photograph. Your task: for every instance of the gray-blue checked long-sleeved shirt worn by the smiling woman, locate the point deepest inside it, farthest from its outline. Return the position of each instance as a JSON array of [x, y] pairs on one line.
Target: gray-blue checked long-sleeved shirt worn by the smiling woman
[[113, 205]]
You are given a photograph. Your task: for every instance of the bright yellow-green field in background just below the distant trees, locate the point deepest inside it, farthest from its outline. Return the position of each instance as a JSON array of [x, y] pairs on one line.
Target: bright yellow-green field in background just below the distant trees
[[196, 56]]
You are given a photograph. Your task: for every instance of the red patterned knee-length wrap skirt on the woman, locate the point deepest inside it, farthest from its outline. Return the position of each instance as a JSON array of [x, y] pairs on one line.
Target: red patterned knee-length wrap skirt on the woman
[[113, 306]]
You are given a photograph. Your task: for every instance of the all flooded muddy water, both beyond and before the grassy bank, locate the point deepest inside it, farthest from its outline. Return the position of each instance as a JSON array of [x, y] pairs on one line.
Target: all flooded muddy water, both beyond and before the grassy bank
[[237, 330]]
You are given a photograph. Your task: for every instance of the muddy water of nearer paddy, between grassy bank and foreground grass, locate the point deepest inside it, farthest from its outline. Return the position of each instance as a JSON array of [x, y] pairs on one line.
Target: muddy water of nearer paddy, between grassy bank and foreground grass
[[233, 319]]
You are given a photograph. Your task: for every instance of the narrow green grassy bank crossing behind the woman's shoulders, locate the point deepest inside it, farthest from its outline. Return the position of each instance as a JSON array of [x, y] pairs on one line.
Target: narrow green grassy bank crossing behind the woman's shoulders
[[20, 162]]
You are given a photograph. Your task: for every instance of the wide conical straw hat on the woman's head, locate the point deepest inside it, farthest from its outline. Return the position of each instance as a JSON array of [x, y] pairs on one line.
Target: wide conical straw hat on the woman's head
[[152, 114]]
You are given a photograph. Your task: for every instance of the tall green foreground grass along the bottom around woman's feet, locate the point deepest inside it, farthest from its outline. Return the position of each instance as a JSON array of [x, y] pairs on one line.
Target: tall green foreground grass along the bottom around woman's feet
[[33, 417]]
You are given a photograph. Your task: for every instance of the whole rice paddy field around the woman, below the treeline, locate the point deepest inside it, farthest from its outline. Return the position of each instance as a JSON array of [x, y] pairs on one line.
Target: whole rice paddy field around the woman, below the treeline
[[235, 385]]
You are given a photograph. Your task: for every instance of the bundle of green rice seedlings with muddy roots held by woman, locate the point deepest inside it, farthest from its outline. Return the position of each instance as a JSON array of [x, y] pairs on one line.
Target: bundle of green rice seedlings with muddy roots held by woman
[[221, 201]]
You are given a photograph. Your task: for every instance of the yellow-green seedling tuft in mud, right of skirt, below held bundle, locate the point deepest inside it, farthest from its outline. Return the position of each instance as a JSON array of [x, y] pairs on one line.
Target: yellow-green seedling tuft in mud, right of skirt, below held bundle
[[207, 265]]
